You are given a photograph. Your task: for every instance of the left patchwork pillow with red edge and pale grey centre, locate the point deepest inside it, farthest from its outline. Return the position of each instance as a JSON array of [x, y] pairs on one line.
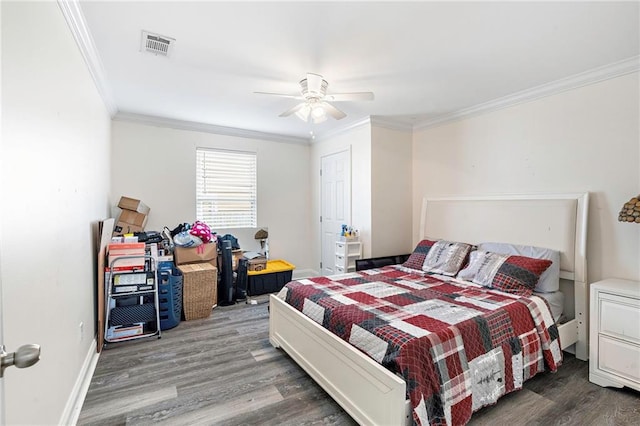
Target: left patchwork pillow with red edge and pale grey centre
[[438, 257]]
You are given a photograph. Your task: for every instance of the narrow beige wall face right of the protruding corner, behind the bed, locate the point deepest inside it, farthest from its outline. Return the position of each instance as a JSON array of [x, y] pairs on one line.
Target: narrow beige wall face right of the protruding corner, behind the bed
[[390, 192]]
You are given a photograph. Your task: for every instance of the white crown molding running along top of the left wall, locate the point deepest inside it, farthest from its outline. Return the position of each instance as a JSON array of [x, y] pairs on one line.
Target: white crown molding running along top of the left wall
[[78, 26]]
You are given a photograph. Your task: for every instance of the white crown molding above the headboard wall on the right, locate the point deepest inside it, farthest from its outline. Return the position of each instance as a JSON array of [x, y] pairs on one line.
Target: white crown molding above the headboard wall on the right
[[595, 75]]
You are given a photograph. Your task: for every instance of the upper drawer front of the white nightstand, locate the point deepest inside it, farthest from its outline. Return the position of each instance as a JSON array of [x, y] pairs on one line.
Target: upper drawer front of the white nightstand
[[620, 317]]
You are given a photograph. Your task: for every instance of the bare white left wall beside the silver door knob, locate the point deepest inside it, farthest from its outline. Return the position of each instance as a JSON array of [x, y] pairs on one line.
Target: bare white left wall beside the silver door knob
[[55, 184]]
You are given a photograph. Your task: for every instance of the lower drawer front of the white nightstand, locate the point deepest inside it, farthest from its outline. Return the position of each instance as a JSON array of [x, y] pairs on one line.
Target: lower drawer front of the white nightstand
[[619, 358]]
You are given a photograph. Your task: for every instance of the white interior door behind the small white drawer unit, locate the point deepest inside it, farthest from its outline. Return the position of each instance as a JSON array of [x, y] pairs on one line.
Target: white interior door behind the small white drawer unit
[[335, 204]]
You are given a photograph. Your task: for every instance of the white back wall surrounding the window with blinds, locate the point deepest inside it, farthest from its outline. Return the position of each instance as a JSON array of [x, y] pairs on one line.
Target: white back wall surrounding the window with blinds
[[157, 166]]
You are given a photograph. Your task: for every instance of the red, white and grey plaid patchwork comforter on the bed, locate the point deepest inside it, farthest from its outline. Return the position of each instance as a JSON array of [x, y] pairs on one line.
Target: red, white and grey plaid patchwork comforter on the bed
[[458, 347]]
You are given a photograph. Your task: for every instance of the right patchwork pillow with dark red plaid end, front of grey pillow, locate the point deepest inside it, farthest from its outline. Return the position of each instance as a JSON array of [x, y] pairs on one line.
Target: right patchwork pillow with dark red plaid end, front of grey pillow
[[511, 274]]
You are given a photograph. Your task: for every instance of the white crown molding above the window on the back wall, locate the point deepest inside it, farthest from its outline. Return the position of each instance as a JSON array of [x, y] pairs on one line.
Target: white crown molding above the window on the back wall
[[206, 128]]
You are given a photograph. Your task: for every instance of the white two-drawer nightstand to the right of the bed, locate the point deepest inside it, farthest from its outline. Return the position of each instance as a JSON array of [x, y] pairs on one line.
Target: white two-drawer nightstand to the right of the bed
[[614, 352]]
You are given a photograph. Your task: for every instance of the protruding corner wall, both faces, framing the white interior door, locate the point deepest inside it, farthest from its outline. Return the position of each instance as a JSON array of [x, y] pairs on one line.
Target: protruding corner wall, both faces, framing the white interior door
[[380, 187]]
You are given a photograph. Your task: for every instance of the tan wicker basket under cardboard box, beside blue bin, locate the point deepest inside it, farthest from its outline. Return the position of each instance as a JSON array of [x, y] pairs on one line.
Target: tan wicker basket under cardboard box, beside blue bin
[[199, 292]]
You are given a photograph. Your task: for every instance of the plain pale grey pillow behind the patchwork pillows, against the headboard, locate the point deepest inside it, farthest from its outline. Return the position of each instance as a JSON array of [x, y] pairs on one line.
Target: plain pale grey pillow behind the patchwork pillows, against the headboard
[[550, 279]]
